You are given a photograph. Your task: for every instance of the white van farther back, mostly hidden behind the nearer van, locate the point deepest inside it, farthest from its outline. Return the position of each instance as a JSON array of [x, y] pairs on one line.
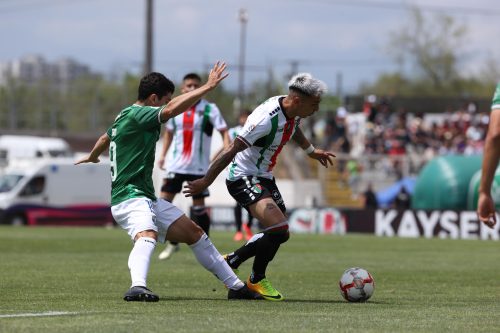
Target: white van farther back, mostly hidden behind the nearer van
[[14, 147]]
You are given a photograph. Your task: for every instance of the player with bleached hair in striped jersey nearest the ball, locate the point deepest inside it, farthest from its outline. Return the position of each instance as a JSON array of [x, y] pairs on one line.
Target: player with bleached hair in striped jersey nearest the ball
[[250, 181]]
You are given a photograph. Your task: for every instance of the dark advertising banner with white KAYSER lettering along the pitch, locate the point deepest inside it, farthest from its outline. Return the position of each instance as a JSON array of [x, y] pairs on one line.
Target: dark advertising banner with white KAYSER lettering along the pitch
[[446, 224]]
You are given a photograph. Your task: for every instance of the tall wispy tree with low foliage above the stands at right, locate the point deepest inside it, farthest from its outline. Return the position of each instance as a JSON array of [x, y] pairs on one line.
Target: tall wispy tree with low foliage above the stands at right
[[433, 47]]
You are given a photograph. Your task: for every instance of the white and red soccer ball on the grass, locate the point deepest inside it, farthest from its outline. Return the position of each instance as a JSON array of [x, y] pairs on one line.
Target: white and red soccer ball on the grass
[[356, 285]]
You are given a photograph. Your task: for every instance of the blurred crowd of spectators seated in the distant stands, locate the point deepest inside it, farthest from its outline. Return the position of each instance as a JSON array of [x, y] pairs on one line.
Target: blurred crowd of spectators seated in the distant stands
[[396, 132]]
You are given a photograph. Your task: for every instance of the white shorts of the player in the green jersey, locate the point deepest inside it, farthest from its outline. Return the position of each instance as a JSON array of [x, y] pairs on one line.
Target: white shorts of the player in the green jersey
[[139, 214]]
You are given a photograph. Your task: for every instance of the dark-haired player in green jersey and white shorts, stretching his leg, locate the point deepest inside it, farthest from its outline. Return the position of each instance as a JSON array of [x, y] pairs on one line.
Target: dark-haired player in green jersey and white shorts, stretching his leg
[[132, 141]]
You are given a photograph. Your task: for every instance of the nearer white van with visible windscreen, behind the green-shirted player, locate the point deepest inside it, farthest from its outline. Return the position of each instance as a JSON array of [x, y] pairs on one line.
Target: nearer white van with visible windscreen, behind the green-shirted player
[[53, 184]]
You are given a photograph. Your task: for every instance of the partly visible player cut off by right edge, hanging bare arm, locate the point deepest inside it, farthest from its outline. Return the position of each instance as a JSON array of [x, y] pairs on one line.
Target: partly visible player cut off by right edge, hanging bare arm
[[485, 205]]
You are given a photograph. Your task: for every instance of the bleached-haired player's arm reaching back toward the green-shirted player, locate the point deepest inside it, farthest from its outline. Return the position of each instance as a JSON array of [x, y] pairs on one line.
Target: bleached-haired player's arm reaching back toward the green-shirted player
[[222, 161]]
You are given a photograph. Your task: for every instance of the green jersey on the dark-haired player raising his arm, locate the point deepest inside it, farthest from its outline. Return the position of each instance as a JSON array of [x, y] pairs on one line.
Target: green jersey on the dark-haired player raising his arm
[[132, 152]]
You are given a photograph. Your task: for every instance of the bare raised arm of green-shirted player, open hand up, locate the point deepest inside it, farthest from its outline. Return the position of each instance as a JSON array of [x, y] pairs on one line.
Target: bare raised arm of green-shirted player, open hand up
[[182, 102]]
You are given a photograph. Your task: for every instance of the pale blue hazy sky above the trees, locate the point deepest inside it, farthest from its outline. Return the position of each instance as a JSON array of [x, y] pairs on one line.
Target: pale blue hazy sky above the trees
[[331, 39]]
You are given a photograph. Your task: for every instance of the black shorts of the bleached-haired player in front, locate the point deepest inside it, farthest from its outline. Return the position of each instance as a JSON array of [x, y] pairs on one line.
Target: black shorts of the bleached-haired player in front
[[250, 189]]
